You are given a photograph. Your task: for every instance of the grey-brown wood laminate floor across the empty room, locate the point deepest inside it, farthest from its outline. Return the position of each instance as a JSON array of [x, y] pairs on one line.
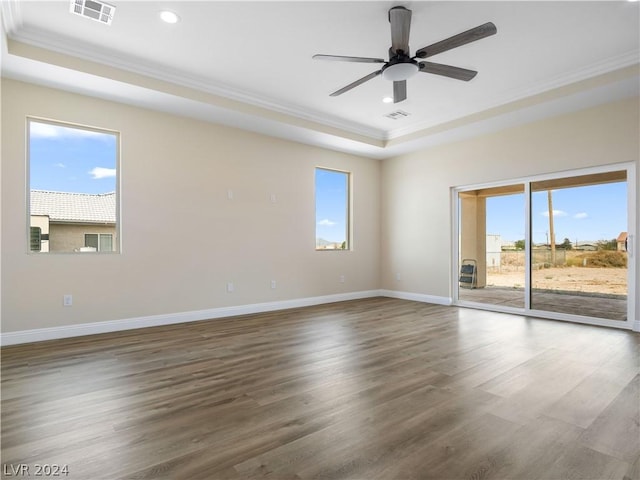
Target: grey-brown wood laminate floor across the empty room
[[369, 389]]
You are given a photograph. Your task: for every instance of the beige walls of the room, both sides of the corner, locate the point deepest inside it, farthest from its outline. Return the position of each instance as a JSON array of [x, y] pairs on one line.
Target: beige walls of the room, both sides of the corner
[[183, 239]]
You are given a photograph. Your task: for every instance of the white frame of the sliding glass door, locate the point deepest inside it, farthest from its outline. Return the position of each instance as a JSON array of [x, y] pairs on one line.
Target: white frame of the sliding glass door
[[632, 207]]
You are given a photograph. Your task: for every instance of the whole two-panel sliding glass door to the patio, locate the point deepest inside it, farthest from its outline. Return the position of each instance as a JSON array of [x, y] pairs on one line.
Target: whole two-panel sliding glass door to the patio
[[554, 246]]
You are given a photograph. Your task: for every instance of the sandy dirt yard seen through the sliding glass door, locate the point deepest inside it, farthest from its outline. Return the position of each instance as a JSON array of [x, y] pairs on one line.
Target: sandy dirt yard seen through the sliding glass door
[[573, 279]]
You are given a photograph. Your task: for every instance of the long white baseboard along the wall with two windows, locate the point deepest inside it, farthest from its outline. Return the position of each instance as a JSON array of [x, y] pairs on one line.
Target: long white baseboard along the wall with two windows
[[66, 331]]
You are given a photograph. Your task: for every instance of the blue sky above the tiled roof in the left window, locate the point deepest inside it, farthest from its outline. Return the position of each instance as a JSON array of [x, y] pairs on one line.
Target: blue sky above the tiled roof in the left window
[[64, 159]]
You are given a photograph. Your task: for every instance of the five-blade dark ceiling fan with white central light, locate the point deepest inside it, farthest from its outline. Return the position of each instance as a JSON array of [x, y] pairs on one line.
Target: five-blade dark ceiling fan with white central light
[[401, 65]]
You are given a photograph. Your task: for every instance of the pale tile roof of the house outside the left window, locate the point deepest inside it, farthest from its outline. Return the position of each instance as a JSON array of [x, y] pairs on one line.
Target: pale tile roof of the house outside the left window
[[74, 207]]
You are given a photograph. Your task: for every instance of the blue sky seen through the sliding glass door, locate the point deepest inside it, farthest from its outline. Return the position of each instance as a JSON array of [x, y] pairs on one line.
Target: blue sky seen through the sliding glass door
[[589, 213]]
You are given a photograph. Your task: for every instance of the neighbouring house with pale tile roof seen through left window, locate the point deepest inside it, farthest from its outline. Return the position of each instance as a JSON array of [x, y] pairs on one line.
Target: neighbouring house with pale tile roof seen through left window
[[72, 222]]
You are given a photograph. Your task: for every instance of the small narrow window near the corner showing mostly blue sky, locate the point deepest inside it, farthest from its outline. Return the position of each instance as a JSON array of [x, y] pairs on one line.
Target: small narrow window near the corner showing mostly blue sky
[[332, 209]]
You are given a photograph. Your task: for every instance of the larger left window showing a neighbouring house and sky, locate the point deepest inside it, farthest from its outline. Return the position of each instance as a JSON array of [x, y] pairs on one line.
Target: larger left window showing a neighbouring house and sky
[[73, 188]]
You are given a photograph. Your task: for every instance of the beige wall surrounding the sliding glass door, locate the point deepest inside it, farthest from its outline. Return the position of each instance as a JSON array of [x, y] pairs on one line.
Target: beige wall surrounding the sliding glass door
[[416, 218]]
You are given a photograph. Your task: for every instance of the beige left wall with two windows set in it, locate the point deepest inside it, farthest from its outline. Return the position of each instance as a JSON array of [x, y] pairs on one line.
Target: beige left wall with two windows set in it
[[182, 238]]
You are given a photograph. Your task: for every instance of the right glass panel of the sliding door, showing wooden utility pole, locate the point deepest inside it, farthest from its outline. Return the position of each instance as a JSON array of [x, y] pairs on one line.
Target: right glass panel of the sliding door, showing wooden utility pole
[[579, 260]]
